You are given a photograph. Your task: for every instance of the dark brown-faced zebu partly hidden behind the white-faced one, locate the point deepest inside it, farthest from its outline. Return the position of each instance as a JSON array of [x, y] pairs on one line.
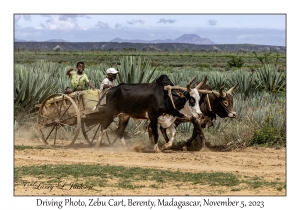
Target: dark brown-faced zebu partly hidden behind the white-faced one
[[211, 104]]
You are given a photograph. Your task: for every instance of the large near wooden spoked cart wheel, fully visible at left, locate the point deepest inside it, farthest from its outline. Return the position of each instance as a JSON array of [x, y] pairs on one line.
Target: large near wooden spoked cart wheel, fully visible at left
[[59, 120]]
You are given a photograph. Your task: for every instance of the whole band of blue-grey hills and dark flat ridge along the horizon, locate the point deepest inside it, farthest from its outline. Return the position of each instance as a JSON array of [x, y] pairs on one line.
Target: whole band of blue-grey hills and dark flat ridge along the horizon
[[186, 42]]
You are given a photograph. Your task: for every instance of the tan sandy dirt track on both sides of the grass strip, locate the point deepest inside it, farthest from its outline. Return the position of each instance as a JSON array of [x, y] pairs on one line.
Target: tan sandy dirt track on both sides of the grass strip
[[270, 164]]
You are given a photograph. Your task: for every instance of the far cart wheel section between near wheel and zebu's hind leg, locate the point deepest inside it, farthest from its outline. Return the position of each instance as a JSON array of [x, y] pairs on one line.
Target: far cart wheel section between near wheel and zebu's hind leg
[[90, 132]]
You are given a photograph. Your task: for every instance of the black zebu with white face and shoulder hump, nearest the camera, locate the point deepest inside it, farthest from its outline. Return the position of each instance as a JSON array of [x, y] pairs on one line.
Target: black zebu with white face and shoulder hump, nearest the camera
[[150, 101]]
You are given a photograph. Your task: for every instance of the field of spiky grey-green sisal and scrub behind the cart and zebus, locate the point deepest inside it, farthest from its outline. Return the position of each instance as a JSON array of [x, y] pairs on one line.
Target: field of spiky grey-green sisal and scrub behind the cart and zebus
[[261, 92]]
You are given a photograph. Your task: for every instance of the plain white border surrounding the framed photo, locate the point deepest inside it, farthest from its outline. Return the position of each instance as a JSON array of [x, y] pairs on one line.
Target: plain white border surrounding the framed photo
[[8, 201]]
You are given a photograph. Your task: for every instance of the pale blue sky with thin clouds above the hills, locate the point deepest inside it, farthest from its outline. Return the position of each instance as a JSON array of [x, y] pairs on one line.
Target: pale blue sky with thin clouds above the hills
[[264, 29]]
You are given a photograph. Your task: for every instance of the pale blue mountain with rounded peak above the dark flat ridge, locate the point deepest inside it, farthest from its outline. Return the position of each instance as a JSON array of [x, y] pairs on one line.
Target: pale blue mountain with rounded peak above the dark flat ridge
[[186, 38]]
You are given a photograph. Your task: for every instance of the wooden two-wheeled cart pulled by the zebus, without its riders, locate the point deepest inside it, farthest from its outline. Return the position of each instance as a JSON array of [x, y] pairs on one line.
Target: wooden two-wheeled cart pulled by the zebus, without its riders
[[62, 116]]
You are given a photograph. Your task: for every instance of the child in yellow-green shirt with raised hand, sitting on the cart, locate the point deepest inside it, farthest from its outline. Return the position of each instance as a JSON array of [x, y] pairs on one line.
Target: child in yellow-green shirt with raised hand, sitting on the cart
[[78, 79]]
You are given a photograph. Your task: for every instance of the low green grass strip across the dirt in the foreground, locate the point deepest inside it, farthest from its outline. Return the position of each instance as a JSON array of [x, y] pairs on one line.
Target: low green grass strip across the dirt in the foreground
[[96, 176]]
